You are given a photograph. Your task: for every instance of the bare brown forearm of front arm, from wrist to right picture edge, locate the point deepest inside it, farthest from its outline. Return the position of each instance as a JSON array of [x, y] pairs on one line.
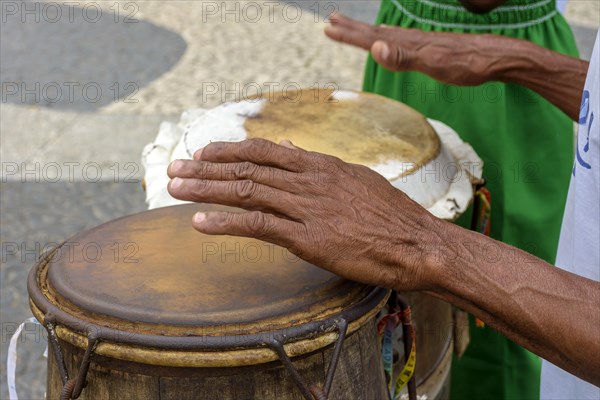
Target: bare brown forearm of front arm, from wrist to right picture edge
[[551, 312]]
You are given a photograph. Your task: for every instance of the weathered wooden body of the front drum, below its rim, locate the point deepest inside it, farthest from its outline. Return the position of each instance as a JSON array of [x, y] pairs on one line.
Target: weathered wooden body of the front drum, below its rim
[[358, 376]]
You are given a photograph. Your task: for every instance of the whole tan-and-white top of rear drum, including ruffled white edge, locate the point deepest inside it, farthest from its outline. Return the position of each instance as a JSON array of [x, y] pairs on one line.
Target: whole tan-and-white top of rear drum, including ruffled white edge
[[425, 159]]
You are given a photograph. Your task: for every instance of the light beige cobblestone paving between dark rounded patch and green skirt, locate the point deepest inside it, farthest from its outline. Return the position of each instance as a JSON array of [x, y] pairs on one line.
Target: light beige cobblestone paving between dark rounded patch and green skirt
[[235, 51]]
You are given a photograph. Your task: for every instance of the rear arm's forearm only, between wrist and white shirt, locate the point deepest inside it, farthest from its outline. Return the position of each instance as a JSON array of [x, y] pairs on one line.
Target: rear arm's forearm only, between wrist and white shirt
[[556, 77]]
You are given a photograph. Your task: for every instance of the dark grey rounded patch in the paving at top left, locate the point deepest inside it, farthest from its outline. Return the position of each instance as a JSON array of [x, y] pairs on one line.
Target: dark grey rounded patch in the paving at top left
[[90, 57]]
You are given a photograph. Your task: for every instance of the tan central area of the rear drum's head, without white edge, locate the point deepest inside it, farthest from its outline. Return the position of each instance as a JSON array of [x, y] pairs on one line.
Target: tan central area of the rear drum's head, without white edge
[[358, 128]]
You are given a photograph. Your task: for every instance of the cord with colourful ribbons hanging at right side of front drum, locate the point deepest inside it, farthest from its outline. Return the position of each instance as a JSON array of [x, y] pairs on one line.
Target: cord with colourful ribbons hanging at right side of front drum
[[399, 313]]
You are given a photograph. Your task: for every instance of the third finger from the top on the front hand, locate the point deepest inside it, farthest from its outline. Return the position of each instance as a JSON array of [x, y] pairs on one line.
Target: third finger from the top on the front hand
[[244, 194]]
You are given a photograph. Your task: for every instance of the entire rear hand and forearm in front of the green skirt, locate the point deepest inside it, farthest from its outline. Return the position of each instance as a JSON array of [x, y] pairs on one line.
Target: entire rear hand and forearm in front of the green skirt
[[469, 59]]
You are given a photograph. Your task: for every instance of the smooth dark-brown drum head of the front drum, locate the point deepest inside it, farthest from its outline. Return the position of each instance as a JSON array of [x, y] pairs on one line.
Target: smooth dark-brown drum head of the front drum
[[153, 273]]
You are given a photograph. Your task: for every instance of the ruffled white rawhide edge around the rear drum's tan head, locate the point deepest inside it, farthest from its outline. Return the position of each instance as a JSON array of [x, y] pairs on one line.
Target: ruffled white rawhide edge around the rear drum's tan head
[[442, 186]]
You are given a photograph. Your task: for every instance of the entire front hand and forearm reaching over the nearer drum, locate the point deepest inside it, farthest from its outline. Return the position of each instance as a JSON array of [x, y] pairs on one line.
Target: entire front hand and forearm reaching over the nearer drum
[[349, 220]]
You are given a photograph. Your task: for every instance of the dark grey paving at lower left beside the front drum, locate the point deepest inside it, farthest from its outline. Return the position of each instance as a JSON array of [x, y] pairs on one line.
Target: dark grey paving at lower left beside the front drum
[[35, 215]]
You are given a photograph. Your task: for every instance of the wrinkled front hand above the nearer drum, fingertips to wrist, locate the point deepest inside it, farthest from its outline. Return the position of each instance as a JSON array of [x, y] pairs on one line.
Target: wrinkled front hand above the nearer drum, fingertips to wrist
[[343, 217]]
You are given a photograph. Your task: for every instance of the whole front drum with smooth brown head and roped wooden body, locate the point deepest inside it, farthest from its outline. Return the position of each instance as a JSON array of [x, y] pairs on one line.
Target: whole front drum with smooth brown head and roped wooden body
[[181, 315]]
